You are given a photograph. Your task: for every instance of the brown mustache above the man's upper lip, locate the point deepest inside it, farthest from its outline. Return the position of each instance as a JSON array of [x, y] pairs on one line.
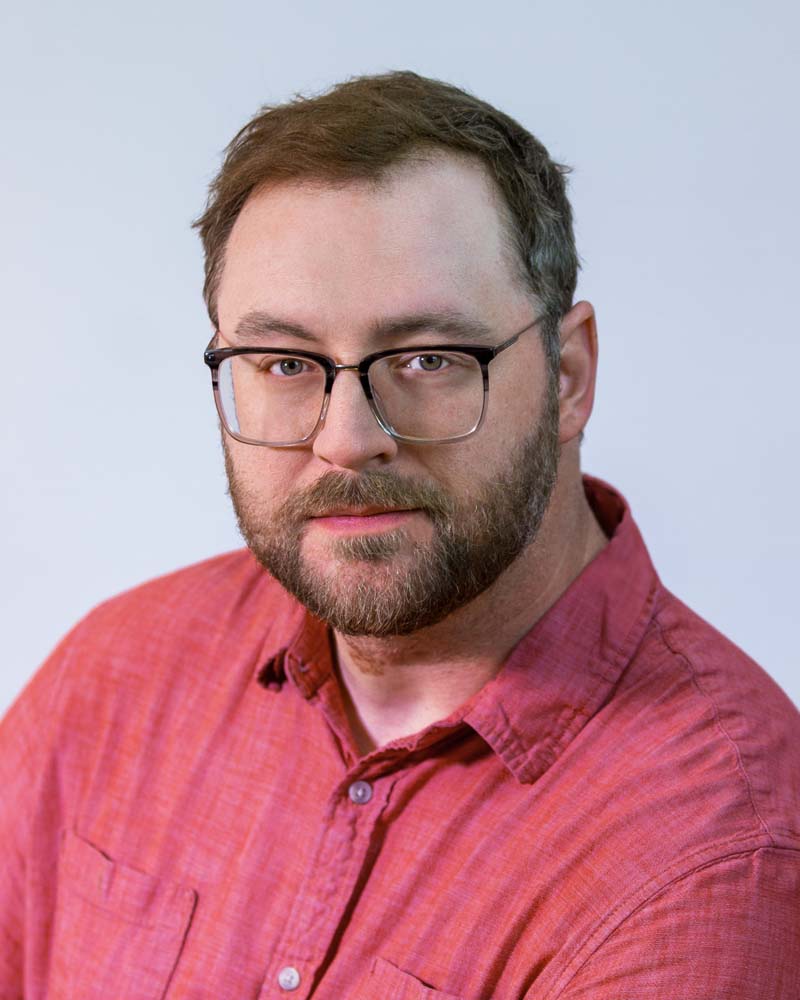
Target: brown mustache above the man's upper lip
[[373, 488]]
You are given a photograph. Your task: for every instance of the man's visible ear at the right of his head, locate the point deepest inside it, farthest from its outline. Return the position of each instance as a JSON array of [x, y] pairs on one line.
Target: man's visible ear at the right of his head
[[577, 370]]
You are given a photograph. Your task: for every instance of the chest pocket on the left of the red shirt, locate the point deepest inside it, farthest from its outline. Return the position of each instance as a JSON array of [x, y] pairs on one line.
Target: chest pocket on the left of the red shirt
[[118, 931]]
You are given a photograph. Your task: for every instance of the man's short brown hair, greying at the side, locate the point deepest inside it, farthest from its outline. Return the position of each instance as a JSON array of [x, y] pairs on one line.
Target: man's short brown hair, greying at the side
[[361, 128]]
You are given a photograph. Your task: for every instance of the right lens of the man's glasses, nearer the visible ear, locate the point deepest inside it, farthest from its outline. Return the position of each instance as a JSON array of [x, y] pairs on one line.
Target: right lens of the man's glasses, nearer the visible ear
[[431, 396]]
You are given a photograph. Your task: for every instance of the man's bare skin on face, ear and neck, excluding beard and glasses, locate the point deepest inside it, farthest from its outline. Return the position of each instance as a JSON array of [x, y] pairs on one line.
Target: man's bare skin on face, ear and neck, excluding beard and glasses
[[338, 260]]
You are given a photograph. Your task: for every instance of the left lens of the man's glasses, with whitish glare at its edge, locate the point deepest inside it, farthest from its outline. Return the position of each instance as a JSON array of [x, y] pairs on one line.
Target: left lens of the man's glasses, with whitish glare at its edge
[[271, 398]]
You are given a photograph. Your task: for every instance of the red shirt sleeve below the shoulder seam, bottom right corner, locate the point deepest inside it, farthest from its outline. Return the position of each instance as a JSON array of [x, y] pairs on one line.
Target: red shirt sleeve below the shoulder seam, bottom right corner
[[727, 931]]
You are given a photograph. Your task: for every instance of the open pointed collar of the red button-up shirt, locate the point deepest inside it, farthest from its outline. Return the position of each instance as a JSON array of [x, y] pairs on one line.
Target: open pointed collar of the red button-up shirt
[[559, 674]]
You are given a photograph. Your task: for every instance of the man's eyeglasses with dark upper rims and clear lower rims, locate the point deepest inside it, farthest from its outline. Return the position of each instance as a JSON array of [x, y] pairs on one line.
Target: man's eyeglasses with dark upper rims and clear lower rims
[[419, 395]]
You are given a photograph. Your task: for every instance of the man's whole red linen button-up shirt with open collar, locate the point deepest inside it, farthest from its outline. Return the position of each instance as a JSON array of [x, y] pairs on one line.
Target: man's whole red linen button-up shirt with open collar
[[616, 815]]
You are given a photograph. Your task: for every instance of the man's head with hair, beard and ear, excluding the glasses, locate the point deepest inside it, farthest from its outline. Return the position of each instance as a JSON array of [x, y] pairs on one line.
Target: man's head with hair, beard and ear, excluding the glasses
[[374, 218]]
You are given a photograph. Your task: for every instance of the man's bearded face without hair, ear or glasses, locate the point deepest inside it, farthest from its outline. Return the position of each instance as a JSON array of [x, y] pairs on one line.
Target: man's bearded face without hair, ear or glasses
[[373, 535]]
